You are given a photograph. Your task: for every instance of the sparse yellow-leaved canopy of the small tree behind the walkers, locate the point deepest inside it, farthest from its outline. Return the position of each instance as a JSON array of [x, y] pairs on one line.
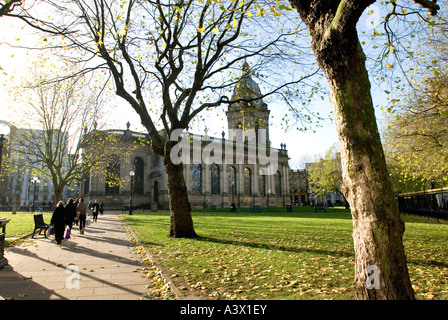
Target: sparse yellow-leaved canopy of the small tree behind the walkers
[[55, 121]]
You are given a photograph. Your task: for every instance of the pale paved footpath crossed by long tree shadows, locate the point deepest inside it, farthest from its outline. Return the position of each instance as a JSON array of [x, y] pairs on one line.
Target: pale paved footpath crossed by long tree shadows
[[99, 265]]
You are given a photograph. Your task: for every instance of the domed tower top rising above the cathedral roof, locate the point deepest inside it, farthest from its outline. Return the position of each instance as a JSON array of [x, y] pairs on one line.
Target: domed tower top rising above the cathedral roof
[[251, 112]]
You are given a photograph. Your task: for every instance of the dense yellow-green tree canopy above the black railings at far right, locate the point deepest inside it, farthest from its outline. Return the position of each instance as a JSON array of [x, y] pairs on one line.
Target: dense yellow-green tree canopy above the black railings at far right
[[416, 132]]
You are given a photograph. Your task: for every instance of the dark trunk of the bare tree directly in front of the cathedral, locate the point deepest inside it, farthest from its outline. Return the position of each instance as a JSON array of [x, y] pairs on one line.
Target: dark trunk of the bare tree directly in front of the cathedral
[[181, 223]]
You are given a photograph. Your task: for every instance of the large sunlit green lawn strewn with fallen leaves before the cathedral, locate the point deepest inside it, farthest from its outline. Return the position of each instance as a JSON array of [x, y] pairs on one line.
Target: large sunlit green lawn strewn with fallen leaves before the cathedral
[[279, 255]]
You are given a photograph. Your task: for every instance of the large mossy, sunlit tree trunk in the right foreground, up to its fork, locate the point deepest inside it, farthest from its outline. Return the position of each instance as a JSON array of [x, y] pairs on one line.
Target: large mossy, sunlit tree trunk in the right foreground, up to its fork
[[377, 225]]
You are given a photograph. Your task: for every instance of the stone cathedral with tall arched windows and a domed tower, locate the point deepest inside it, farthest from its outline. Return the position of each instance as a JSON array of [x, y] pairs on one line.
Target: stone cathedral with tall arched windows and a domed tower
[[237, 173]]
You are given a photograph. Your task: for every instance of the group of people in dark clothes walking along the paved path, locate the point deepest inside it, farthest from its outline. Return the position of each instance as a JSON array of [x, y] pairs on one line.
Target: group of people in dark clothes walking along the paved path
[[73, 212]]
